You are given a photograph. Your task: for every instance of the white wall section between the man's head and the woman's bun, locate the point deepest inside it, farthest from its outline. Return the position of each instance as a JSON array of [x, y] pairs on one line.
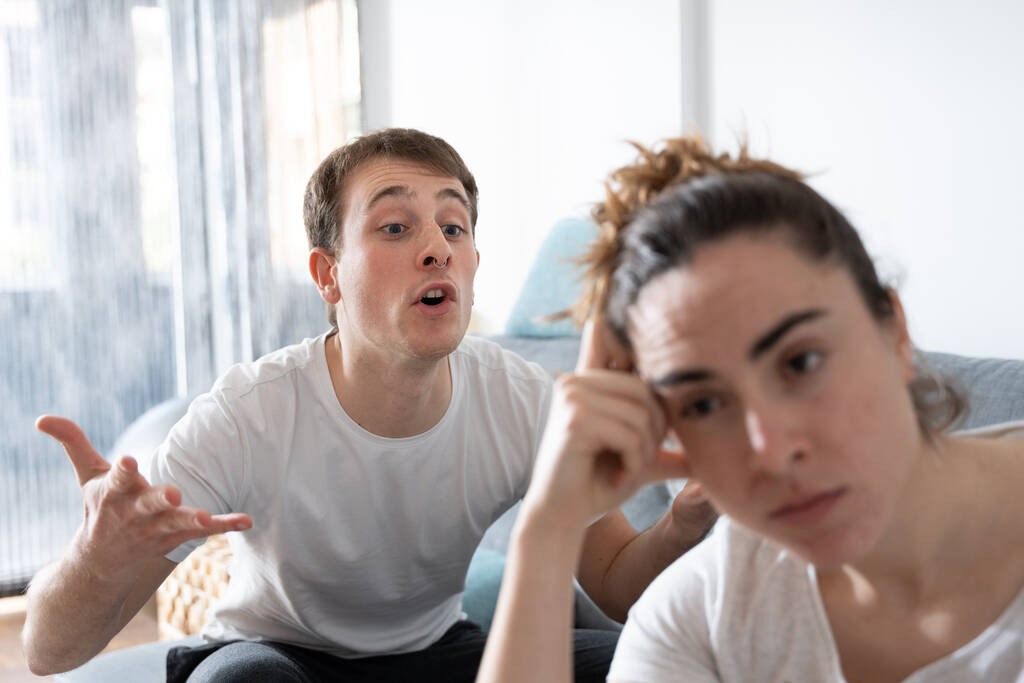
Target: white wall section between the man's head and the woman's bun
[[539, 98]]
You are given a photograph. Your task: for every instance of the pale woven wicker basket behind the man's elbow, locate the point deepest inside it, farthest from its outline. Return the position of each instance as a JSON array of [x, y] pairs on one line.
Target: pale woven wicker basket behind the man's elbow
[[185, 599]]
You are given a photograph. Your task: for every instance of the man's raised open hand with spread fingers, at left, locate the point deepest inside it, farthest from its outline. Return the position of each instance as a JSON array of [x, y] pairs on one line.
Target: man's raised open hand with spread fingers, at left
[[127, 522]]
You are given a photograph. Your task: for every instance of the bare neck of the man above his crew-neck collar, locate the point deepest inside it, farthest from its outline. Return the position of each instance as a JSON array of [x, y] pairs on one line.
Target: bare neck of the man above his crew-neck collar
[[389, 397]]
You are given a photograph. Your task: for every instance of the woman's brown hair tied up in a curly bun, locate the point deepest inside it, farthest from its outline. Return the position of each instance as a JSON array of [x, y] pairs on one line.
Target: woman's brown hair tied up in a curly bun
[[679, 196]]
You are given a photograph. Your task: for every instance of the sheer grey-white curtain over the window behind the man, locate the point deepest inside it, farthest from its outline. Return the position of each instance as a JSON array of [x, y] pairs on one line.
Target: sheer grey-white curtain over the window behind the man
[[153, 156]]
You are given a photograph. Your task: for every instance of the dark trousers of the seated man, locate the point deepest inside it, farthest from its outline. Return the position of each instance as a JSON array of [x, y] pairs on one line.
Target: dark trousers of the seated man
[[455, 658]]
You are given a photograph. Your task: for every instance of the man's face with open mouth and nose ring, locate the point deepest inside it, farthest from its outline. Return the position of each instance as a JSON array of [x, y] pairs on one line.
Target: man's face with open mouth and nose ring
[[400, 224]]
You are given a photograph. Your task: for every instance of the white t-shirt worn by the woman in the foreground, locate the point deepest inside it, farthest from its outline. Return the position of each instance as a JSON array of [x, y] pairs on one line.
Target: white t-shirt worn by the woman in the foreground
[[740, 609]]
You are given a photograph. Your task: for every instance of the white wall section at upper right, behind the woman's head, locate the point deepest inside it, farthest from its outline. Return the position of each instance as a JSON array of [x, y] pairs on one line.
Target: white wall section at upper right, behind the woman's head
[[912, 114]]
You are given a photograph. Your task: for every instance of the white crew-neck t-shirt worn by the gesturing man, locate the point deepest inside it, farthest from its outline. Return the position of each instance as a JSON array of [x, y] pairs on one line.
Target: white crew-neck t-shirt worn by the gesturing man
[[360, 543]]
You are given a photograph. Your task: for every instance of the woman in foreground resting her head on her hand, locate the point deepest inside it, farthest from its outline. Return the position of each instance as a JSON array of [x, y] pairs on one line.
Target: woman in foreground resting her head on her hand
[[860, 541]]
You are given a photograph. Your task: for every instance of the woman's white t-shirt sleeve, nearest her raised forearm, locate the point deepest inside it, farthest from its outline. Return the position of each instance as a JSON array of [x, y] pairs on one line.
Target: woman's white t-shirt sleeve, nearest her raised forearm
[[668, 634]]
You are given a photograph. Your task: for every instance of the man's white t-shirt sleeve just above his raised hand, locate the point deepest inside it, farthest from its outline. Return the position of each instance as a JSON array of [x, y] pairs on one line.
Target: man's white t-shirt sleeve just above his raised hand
[[203, 457]]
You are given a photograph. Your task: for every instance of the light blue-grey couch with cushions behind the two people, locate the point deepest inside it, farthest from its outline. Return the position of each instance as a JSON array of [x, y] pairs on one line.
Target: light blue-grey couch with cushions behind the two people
[[995, 389]]
